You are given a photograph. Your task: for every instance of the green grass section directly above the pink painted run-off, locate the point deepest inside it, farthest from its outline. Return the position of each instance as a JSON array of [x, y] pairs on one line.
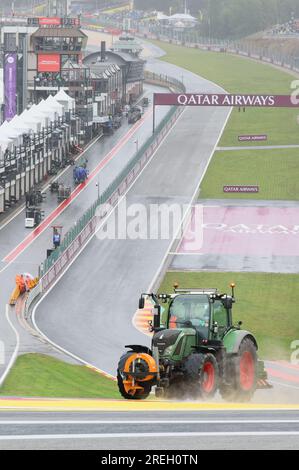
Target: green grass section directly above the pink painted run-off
[[274, 171]]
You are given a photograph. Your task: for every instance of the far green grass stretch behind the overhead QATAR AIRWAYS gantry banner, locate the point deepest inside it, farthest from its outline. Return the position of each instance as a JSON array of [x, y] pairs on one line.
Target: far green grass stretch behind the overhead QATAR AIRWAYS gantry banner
[[240, 75]]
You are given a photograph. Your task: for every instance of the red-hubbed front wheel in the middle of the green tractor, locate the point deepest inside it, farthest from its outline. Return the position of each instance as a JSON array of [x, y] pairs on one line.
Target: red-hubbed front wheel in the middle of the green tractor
[[202, 375]]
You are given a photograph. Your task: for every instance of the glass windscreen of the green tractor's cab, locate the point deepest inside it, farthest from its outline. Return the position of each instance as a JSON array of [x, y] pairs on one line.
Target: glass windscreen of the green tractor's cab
[[190, 311]]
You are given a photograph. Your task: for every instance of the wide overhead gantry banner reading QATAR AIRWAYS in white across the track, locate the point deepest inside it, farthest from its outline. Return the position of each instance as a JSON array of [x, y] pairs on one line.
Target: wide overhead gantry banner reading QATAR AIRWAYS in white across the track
[[196, 99]]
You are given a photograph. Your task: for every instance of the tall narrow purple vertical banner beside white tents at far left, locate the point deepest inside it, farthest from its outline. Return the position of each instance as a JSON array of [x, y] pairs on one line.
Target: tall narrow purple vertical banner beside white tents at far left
[[10, 85]]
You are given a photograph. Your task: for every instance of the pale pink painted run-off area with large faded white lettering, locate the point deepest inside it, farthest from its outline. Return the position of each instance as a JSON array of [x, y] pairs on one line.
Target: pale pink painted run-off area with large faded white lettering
[[257, 231]]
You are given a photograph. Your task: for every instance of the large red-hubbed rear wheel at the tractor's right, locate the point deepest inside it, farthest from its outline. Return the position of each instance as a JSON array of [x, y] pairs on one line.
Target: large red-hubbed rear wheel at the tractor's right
[[242, 374]]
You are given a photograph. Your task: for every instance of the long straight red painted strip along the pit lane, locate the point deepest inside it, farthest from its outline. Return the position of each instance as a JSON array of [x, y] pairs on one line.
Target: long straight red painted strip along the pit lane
[[51, 217]]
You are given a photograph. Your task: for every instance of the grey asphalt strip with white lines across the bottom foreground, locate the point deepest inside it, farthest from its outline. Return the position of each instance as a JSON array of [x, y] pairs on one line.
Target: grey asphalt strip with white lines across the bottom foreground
[[156, 430]]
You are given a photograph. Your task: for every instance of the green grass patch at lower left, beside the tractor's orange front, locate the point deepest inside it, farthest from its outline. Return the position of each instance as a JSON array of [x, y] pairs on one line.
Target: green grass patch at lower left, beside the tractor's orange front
[[37, 375]]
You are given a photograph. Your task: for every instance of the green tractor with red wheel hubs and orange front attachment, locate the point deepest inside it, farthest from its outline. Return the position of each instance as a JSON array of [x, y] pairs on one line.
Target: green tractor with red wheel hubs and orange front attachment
[[196, 351]]
